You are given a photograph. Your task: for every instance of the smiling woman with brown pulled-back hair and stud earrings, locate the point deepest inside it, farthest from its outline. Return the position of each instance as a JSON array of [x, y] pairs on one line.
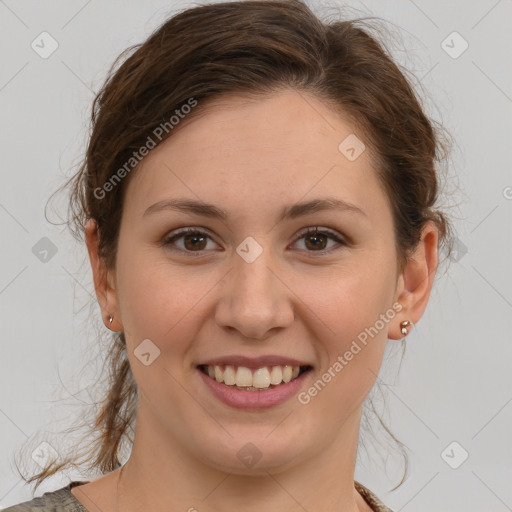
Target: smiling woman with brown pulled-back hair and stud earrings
[[258, 203]]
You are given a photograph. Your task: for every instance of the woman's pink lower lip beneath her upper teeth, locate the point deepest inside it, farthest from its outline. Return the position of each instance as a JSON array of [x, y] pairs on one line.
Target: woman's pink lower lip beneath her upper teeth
[[254, 399]]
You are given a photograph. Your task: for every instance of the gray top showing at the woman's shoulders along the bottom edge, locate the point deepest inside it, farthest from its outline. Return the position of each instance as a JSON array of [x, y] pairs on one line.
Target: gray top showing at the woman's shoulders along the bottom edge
[[63, 500]]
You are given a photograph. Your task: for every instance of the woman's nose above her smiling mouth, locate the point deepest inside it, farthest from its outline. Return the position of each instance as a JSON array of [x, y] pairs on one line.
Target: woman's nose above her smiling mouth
[[255, 300]]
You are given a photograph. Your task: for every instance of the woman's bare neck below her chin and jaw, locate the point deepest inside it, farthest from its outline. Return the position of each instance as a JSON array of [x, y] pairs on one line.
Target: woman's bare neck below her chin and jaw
[[162, 476]]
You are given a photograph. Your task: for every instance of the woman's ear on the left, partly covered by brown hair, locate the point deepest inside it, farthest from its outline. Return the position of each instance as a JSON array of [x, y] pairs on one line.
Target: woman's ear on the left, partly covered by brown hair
[[104, 282]]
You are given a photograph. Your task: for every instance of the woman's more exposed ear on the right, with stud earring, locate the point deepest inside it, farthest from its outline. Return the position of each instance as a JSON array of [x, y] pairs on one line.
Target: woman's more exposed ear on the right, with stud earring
[[416, 280]]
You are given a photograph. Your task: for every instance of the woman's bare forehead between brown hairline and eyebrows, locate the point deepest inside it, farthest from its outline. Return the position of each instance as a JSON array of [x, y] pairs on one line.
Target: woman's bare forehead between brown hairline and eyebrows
[[258, 153]]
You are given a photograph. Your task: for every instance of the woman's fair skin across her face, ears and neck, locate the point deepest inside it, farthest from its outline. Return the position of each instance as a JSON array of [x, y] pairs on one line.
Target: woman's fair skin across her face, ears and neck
[[252, 158]]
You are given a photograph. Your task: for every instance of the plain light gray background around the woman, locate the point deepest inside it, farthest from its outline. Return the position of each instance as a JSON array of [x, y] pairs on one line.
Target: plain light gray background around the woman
[[454, 383]]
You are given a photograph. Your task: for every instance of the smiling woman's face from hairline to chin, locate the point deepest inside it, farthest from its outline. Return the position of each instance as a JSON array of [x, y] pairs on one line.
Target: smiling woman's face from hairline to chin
[[254, 290]]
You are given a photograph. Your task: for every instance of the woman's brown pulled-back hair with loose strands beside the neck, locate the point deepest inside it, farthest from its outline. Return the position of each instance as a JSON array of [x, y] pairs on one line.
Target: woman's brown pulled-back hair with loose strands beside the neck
[[249, 47]]
